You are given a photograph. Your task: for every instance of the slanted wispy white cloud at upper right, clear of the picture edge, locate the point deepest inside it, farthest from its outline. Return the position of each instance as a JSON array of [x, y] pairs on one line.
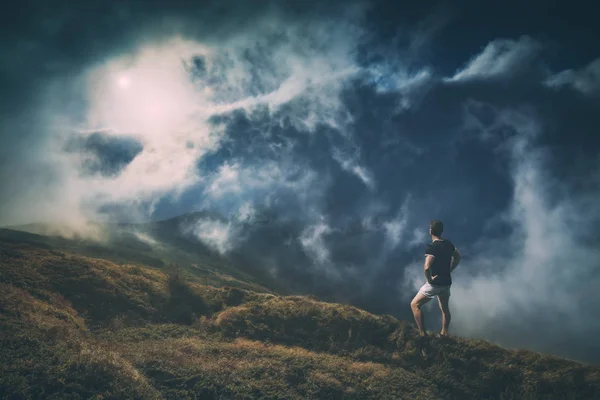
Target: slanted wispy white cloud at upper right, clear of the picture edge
[[500, 58]]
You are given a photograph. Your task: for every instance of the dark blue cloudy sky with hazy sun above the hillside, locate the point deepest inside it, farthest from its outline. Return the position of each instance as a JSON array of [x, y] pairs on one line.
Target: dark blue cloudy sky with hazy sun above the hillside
[[323, 138]]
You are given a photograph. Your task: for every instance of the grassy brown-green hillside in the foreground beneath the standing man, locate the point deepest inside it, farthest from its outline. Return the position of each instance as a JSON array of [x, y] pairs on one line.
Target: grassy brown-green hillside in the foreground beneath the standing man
[[73, 327]]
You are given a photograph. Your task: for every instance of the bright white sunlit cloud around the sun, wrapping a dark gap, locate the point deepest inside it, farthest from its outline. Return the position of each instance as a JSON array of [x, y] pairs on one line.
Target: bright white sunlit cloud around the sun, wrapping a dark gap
[[149, 96]]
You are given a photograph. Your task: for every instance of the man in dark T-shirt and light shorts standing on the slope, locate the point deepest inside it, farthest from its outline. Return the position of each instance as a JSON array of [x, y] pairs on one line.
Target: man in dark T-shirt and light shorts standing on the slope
[[441, 258]]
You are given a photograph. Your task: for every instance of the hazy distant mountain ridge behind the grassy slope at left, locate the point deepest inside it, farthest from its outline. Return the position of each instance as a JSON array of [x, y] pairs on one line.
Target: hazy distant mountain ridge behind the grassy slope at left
[[156, 244]]
